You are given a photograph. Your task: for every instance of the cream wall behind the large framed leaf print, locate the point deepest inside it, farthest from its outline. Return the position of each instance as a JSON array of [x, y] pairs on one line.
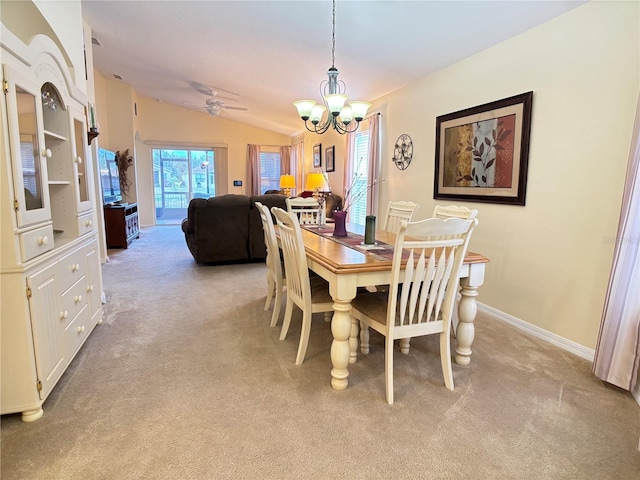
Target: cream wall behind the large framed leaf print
[[550, 260]]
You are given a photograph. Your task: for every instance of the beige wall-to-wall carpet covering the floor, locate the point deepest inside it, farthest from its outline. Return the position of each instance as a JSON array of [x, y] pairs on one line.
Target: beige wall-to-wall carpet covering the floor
[[185, 380]]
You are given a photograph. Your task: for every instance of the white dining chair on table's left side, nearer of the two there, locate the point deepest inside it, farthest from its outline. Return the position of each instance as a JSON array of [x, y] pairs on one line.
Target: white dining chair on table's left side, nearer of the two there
[[310, 294]]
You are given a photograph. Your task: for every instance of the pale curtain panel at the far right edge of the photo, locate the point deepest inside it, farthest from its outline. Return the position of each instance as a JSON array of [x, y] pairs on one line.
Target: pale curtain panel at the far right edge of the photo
[[618, 349]]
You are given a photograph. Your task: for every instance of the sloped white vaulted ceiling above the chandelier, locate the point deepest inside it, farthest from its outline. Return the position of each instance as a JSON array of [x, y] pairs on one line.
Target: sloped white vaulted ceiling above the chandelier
[[263, 55]]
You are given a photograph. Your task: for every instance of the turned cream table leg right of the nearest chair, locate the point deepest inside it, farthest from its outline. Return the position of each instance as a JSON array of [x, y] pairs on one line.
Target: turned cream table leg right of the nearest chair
[[467, 310]]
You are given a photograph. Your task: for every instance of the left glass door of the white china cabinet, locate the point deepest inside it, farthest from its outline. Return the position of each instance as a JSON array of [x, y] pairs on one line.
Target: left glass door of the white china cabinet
[[28, 155]]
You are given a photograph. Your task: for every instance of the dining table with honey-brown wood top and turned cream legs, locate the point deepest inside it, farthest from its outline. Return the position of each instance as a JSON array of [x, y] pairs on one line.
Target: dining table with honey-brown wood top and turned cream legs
[[347, 264]]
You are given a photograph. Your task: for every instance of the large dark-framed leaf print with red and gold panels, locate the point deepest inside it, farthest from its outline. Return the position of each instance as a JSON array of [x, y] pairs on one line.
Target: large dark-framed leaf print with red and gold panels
[[482, 152]]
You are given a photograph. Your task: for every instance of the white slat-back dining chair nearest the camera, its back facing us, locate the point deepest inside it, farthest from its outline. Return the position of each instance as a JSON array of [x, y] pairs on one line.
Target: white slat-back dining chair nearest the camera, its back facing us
[[420, 300]]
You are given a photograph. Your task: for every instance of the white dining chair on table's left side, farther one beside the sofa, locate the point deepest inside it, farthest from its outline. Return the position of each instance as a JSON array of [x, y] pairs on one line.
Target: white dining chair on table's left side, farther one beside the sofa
[[275, 277]]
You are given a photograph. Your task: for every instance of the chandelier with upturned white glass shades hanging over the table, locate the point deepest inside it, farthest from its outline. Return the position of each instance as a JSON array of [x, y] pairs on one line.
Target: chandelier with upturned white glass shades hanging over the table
[[340, 116]]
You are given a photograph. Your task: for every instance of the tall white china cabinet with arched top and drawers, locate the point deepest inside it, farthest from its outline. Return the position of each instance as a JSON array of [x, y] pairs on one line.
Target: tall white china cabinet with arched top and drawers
[[51, 278]]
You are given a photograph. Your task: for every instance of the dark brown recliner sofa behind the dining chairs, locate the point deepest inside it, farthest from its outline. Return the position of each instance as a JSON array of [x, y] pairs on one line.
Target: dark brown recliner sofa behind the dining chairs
[[227, 229]]
